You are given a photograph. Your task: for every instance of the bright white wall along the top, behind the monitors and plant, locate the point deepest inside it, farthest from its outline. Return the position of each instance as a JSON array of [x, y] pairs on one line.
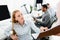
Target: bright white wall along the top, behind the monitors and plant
[[15, 4]]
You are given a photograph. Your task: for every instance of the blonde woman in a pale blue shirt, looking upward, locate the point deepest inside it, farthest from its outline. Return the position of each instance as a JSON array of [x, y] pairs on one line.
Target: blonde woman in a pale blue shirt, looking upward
[[21, 27]]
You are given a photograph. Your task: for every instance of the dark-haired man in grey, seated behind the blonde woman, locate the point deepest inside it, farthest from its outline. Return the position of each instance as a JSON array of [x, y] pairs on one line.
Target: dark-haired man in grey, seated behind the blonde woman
[[45, 18]]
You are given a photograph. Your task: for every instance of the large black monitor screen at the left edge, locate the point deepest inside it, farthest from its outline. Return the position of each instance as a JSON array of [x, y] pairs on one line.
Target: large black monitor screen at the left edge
[[4, 12]]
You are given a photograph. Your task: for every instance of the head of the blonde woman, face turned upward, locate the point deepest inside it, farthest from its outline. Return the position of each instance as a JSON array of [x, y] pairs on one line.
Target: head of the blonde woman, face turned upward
[[18, 17]]
